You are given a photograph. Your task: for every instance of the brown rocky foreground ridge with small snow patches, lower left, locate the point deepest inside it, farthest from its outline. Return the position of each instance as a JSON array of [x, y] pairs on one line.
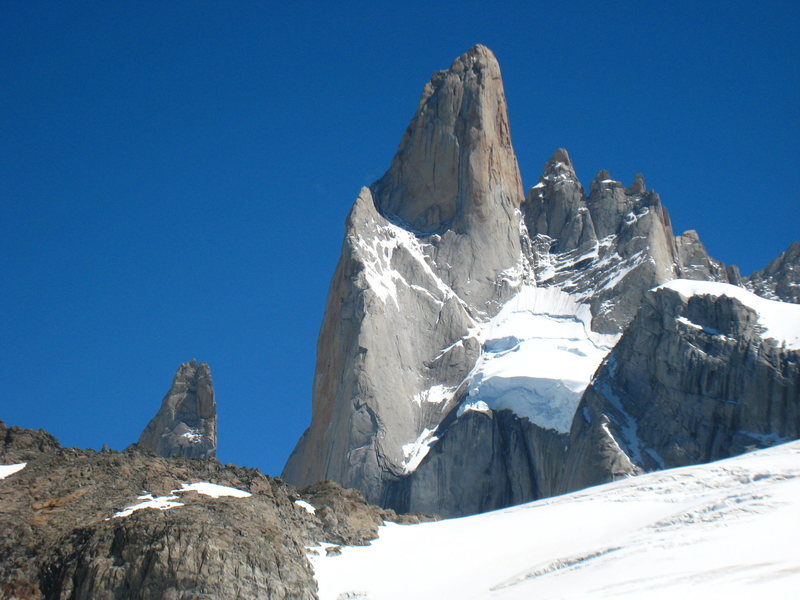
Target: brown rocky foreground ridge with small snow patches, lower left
[[66, 532]]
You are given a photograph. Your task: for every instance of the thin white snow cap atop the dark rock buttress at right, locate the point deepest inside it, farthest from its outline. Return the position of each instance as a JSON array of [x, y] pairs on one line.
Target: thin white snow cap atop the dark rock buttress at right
[[780, 320]]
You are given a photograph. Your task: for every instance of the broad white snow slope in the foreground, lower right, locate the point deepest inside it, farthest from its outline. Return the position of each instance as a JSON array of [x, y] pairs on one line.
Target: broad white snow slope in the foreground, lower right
[[723, 530]]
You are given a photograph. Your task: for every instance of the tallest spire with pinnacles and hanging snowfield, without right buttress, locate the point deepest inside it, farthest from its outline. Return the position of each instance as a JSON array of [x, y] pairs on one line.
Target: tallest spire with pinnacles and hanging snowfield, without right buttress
[[434, 251]]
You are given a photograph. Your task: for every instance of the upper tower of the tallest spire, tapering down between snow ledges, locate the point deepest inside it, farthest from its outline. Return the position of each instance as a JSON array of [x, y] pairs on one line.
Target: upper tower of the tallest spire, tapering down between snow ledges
[[455, 174]]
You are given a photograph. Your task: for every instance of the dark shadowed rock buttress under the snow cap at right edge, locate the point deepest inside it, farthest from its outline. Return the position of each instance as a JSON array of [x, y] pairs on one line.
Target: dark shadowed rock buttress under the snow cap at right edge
[[693, 379]]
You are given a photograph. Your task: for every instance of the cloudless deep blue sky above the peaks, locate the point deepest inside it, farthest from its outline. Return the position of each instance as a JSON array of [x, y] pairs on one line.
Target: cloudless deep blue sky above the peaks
[[174, 176]]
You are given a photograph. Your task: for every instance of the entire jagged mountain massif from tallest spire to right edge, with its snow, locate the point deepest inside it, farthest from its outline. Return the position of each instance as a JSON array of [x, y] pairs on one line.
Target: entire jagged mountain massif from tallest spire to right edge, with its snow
[[466, 322]]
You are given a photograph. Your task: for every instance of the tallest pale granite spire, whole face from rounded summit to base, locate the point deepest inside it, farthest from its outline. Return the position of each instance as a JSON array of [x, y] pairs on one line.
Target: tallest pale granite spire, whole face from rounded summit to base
[[425, 254]]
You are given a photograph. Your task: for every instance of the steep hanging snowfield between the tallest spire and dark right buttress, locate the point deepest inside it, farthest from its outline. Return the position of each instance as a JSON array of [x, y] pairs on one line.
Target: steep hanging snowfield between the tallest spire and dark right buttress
[[539, 354]]
